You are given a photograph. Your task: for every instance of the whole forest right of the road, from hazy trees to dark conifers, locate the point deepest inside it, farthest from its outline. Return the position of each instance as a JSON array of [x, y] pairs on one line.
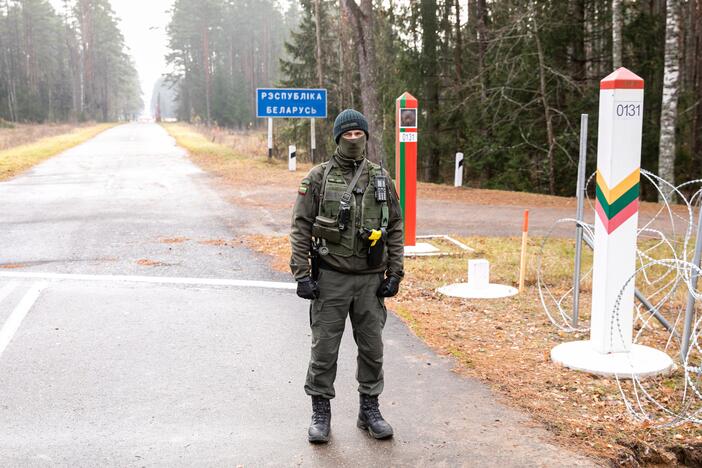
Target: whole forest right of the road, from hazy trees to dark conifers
[[503, 81]]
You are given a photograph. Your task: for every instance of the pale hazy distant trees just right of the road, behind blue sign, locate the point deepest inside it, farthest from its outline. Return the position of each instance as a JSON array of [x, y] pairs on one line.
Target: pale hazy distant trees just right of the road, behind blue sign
[[220, 52]]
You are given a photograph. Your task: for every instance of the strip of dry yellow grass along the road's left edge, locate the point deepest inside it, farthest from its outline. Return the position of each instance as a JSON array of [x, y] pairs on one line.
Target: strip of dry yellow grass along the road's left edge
[[19, 158]]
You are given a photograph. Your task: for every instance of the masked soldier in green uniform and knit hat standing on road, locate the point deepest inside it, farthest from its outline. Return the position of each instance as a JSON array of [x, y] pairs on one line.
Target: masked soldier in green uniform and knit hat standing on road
[[347, 257]]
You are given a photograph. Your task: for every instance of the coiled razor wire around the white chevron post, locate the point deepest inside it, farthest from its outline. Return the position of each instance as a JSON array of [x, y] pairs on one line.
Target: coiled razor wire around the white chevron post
[[665, 275]]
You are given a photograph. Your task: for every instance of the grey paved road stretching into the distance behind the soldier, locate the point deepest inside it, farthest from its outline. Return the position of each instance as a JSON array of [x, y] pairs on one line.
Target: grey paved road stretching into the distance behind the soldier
[[108, 357]]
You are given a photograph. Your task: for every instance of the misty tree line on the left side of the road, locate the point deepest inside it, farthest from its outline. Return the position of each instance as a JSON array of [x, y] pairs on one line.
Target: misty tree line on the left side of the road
[[68, 65]]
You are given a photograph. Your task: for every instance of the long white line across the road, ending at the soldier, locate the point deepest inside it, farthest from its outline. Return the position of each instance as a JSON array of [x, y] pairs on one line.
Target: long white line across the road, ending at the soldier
[[152, 280]]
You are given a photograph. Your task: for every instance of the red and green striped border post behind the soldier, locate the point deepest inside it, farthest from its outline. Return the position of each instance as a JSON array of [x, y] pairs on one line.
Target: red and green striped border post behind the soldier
[[406, 162]]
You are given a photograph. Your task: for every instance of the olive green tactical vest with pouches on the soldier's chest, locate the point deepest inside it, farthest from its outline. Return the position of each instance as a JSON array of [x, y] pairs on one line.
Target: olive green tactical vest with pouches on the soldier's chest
[[344, 212]]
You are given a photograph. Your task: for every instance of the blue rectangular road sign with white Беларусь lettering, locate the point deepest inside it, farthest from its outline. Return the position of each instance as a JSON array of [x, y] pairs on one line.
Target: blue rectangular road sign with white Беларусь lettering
[[291, 103]]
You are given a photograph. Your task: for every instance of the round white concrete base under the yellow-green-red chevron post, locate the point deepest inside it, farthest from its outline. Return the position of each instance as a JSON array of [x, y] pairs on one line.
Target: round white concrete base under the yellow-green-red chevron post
[[641, 361]]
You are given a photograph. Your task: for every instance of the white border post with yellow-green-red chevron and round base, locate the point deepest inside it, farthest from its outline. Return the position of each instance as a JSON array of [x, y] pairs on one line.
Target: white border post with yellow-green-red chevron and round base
[[610, 349]]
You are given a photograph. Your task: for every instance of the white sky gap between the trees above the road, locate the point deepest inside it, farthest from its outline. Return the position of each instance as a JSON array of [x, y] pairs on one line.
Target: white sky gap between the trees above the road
[[143, 24]]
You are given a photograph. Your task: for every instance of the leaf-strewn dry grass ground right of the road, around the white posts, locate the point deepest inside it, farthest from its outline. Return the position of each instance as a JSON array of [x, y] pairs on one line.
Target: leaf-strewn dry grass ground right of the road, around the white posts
[[507, 343]]
